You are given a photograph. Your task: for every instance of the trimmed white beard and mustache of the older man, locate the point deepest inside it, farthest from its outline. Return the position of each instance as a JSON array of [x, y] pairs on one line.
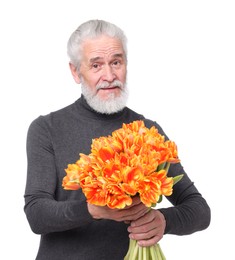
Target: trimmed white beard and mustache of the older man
[[109, 106]]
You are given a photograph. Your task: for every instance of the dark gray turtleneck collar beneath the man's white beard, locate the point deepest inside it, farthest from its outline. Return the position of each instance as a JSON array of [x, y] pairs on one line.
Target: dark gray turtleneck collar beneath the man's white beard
[[89, 112]]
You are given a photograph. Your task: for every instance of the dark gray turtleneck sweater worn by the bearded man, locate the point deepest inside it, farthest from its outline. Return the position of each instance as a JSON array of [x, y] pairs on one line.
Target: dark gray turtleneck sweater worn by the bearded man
[[61, 217]]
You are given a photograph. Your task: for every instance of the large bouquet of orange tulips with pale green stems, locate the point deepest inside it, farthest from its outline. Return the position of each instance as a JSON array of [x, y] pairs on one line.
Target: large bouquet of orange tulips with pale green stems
[[133, 160]]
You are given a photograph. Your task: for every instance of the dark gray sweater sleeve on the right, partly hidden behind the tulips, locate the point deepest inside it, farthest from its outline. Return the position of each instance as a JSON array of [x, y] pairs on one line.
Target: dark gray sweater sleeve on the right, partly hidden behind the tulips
[[190, 211]]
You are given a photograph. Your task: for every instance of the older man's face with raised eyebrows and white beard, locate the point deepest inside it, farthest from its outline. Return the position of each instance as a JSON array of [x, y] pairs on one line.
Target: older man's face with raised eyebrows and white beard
[[102, 74]]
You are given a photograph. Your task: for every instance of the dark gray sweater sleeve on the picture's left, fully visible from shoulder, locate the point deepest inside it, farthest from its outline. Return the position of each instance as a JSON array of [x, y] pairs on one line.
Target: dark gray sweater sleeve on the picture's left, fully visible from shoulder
[[44, 212]]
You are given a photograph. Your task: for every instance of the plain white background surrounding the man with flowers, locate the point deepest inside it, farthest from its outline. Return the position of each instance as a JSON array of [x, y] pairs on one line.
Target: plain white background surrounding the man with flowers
[[181, 73]]
